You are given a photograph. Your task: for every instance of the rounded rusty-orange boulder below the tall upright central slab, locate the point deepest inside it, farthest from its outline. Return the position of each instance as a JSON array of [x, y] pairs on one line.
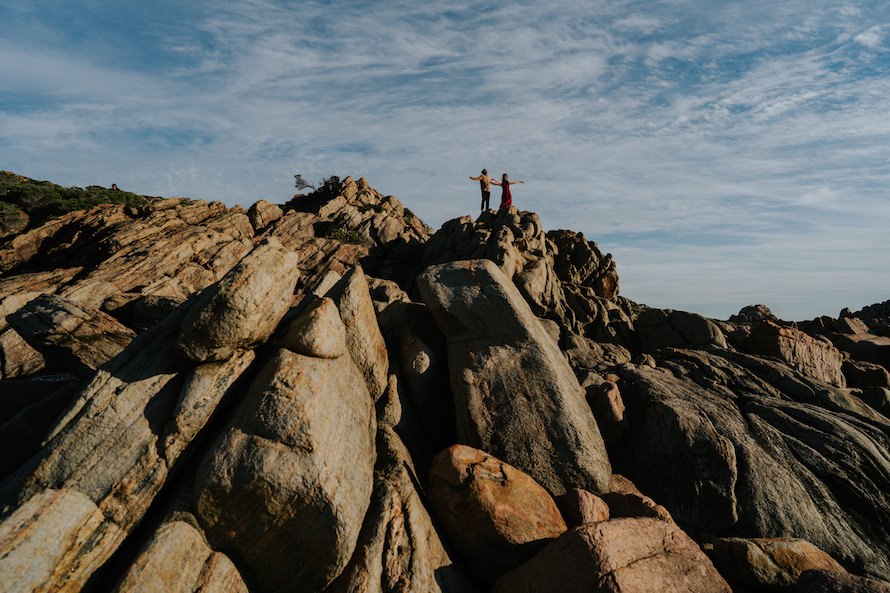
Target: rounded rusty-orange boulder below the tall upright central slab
[[496, 516]]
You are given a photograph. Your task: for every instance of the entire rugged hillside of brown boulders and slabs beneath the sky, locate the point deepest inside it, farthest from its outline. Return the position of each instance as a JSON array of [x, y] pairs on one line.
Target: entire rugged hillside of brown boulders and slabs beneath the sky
[[327, 396]]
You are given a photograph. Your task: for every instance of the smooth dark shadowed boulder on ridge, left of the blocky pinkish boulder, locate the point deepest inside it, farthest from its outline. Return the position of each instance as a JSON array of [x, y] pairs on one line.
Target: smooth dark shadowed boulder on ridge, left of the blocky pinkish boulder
[[666, 328]]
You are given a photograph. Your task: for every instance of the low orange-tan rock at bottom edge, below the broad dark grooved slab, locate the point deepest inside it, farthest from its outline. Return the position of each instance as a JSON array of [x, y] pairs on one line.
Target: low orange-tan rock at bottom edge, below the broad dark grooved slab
[[770, 564]]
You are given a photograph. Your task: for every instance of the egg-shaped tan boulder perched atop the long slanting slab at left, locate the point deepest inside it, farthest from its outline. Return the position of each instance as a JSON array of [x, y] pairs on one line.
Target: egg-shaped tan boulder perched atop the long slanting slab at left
[[244, 308]]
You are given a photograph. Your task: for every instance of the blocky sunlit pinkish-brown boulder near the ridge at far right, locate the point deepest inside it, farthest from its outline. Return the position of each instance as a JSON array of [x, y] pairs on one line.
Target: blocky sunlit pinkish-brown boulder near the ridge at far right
[[813, 357]]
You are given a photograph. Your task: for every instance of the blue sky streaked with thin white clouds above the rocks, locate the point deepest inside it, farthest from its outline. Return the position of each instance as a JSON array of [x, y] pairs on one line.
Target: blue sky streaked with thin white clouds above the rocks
[[726, 153]]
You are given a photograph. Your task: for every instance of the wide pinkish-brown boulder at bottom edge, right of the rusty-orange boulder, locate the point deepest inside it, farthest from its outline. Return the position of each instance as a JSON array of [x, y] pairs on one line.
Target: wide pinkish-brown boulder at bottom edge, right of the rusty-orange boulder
[[636, 555]]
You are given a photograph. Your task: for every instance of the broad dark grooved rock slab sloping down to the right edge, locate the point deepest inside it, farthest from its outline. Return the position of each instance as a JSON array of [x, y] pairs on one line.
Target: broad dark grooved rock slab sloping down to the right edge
[[727, 440]]
